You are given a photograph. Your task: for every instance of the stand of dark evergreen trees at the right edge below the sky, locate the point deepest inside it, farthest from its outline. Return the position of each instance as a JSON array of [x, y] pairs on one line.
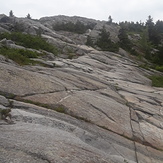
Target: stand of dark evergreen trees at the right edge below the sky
[[150, 43]]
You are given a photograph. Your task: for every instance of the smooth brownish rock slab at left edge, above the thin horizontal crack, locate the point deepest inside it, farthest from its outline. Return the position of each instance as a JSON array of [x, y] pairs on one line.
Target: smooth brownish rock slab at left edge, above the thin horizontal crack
[[18, 81]]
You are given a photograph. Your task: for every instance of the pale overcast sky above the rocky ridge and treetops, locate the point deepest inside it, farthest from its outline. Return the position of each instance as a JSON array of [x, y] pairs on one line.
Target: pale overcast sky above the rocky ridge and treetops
[[120, 10]]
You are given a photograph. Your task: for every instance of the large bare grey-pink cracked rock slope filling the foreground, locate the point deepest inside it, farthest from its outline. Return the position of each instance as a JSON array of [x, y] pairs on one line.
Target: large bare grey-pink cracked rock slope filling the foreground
[[97, 108]]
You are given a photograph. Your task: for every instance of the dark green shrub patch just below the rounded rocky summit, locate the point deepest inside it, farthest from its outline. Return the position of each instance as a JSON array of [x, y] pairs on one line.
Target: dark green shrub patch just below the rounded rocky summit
[[77, 27]]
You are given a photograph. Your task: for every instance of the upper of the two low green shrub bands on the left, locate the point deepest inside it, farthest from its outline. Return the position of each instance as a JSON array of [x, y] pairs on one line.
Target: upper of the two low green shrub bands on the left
[[29, 41]]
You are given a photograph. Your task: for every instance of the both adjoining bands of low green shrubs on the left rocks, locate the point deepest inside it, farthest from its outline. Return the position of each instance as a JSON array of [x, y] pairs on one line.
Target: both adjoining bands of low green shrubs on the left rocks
[[23, 56]]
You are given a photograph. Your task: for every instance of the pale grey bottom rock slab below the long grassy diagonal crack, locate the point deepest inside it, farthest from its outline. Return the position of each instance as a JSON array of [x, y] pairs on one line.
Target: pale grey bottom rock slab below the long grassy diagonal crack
[[54, 137]]
